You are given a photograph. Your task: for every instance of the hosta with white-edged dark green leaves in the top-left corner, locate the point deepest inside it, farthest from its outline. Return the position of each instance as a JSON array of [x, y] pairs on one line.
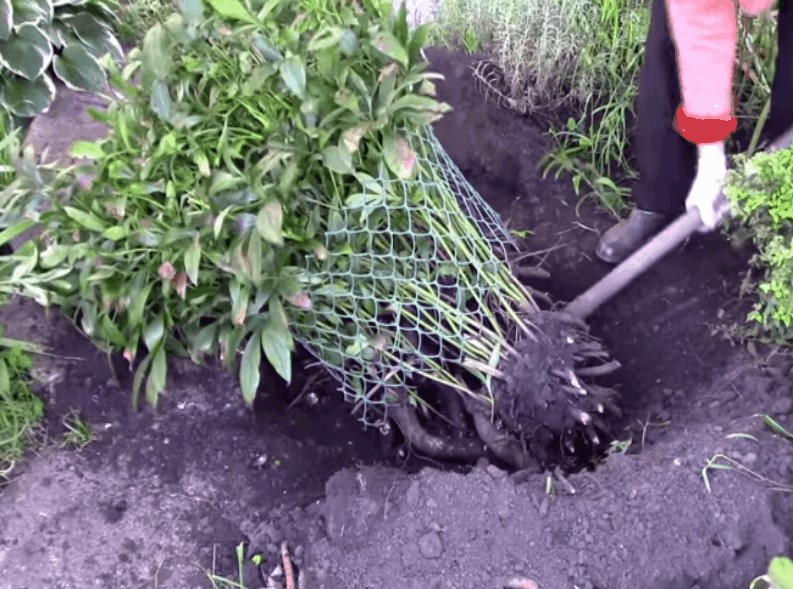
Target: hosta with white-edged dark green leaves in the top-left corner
[[44, 40]]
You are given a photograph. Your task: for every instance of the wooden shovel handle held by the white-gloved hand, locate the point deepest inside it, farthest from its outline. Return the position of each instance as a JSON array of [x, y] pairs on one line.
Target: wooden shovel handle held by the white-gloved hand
[[643, 259]]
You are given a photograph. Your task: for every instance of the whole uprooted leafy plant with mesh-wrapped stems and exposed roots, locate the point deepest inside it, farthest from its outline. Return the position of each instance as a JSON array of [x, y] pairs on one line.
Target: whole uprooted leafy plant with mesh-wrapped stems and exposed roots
[[274, 181]]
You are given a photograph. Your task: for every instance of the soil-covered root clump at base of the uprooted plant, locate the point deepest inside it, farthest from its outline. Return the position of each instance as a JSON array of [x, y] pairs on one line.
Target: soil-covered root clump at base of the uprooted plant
[[544, 394]]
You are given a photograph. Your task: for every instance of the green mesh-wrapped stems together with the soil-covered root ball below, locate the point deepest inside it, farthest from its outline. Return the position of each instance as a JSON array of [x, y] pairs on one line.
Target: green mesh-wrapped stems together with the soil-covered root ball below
[[419, 290]]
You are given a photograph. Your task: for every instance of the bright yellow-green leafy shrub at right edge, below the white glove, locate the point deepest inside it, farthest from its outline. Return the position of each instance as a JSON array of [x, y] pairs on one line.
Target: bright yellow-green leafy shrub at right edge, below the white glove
[[760, 189]]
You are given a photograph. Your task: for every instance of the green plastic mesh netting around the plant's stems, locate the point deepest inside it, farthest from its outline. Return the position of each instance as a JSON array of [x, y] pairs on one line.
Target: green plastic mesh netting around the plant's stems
[[430, 292]]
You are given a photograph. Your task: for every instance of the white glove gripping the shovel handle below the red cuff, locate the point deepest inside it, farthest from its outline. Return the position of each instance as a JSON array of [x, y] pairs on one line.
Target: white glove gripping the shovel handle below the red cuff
[[705, 194]]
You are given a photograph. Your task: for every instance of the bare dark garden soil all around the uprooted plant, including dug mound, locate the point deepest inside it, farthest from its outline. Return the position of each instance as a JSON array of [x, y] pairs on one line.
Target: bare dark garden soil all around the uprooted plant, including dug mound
[[145, 504]]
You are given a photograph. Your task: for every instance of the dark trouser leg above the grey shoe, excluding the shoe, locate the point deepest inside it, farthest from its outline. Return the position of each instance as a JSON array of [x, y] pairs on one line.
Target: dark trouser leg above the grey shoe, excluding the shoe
[[666, 162]]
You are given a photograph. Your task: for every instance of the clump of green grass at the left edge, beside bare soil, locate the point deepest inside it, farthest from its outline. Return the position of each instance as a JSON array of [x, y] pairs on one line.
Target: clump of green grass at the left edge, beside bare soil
[[20, 409]]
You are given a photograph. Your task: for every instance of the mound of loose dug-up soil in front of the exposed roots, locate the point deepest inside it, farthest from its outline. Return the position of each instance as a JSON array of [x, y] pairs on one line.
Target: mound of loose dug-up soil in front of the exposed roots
[[643, 520]]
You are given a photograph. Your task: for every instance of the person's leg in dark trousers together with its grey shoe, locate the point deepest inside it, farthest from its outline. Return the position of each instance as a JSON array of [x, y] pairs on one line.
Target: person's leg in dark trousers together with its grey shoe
[[666, 162]]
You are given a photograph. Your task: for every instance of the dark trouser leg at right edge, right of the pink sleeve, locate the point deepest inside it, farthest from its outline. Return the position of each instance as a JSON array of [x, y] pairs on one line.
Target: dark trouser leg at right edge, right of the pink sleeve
[[780, 119]]
